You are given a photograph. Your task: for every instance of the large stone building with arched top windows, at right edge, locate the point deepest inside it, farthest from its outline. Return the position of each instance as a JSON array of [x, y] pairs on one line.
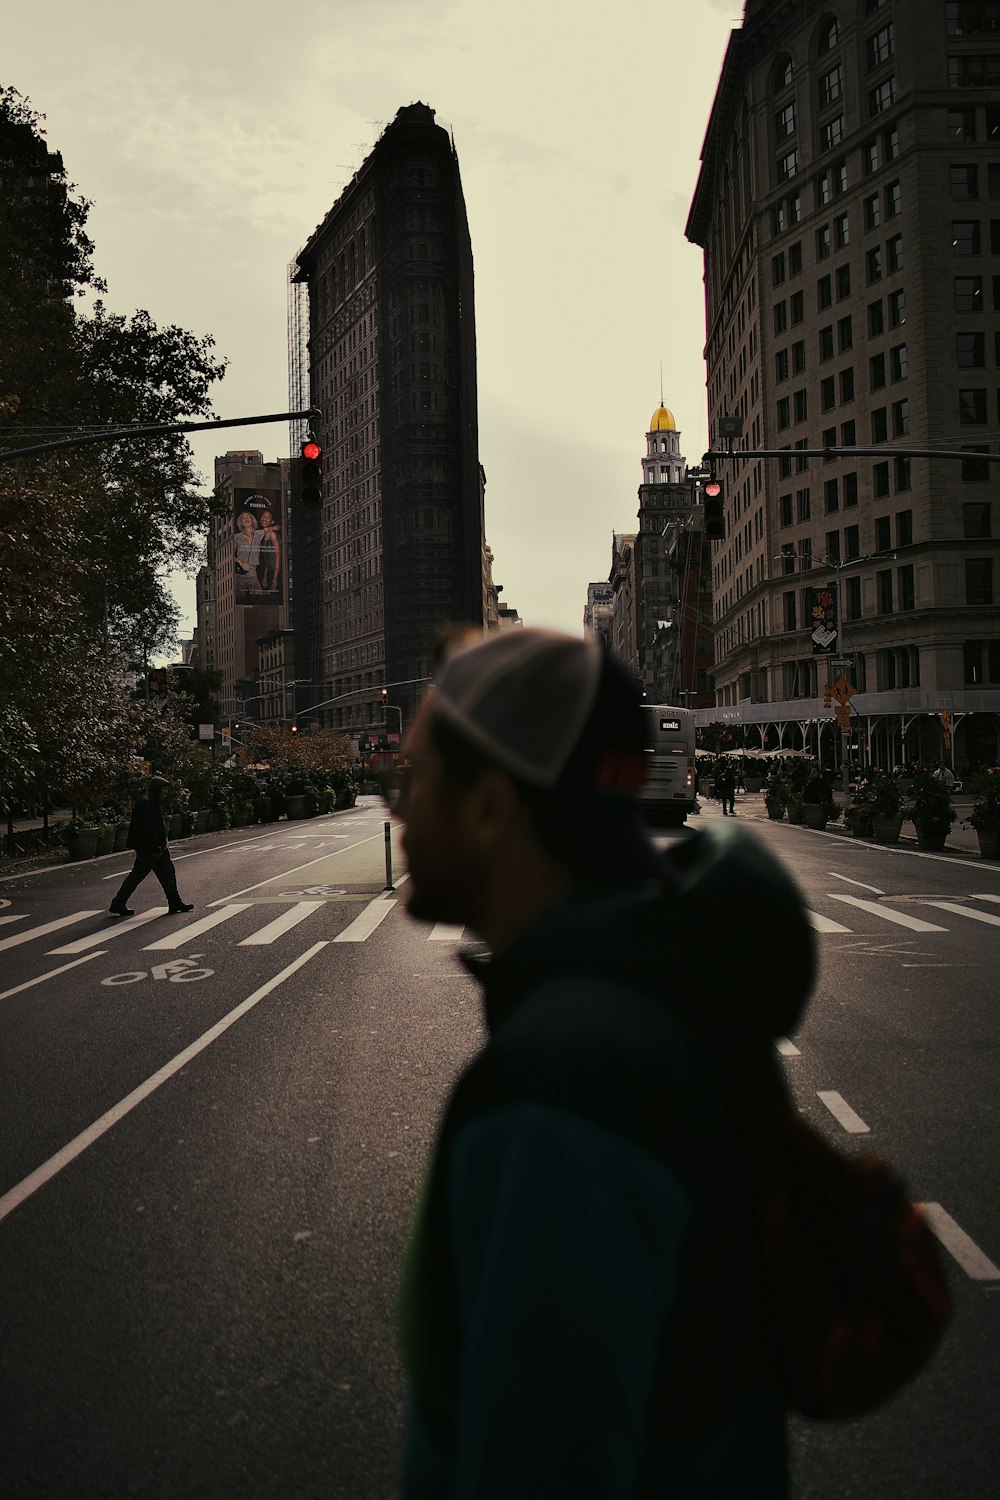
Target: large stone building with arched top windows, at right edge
[[845, 202]]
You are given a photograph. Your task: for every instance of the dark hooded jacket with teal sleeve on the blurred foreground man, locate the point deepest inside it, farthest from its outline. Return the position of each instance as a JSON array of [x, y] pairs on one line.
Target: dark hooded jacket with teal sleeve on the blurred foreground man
[[579, 1313]]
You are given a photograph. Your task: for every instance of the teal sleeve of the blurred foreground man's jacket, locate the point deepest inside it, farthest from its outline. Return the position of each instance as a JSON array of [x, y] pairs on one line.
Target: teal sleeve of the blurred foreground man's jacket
[[566, 1243]]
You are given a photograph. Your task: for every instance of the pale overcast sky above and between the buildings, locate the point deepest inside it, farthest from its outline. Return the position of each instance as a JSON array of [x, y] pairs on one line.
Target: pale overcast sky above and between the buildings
[[214, 136]]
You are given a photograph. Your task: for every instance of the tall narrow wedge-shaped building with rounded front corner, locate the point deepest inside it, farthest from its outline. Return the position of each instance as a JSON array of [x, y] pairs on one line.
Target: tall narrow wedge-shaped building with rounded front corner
[[392, 367]]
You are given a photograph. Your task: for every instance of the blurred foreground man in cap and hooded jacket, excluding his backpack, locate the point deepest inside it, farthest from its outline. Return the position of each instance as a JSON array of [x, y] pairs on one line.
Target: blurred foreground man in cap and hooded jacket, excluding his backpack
[[579, 1312]]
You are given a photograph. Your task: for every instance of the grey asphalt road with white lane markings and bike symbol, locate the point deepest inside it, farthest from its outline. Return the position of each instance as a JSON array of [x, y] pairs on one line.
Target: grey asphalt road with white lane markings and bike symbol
[[212, 1138]]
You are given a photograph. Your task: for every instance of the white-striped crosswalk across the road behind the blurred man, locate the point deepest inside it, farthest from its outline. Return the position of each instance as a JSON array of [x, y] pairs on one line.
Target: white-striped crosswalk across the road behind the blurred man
[[244, 925]]
